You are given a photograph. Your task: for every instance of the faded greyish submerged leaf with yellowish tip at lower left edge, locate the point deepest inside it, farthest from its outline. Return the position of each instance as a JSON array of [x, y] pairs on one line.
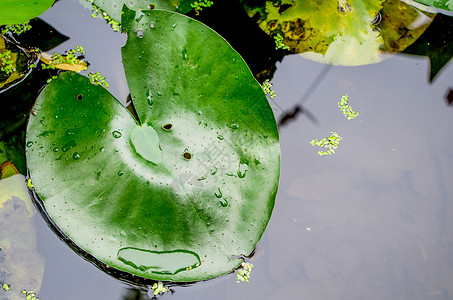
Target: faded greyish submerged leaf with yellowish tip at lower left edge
[[21, 265]]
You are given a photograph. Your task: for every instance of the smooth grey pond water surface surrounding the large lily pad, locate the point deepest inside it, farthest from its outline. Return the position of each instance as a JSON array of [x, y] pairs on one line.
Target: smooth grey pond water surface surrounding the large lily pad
[[373, 221]]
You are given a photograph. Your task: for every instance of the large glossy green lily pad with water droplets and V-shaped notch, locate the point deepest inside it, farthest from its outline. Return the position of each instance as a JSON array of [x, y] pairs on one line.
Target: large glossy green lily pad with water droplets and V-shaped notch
[[184, 191]]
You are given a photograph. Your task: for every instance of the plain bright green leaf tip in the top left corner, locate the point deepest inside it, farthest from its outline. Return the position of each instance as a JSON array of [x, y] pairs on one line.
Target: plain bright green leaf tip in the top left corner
[[20, 11]]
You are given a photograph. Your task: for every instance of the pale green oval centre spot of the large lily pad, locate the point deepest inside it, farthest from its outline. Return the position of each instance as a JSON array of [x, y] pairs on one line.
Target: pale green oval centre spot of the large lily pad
[[146, 143]]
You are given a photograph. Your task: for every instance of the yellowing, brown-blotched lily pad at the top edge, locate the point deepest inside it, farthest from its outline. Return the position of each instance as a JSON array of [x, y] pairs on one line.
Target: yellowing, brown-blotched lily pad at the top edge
[[340, 32]]
